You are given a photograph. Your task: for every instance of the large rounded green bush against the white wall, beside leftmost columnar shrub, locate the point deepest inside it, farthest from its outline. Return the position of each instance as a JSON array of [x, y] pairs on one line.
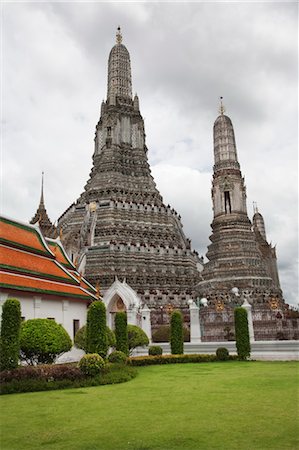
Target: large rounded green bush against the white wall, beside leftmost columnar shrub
[[42, 340]]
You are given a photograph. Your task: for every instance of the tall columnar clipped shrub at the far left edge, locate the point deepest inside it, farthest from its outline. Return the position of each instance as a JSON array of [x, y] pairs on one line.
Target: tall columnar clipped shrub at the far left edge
[[10, 334]]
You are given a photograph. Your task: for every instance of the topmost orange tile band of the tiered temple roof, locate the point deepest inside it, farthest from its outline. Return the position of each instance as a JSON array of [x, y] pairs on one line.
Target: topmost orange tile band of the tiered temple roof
[[23, 236]]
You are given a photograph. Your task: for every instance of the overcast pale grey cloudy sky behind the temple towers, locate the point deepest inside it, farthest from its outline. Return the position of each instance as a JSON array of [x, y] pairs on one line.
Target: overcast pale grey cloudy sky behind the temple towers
[[183, 57]]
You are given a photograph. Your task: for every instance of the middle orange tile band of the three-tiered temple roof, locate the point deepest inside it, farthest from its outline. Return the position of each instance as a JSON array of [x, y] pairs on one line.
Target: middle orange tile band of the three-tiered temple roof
[[15, 260]]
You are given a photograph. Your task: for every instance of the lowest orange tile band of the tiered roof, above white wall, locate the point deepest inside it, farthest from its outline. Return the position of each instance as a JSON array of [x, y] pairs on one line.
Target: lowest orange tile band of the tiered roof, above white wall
[[30, 284]]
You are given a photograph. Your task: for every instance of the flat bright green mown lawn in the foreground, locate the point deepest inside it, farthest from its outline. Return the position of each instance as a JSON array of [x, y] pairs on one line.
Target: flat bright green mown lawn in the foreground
[[234, 405]]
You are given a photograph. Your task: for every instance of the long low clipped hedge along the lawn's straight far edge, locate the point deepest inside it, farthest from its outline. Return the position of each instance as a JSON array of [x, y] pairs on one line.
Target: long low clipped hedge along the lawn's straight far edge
[[173, 359]]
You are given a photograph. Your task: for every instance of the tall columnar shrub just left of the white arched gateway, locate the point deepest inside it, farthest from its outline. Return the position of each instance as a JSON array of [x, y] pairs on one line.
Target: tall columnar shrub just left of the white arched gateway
[[96, 329]]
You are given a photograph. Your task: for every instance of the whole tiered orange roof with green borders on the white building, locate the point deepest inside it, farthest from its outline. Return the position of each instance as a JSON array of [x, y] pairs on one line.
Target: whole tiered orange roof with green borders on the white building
[[29, 263]]
